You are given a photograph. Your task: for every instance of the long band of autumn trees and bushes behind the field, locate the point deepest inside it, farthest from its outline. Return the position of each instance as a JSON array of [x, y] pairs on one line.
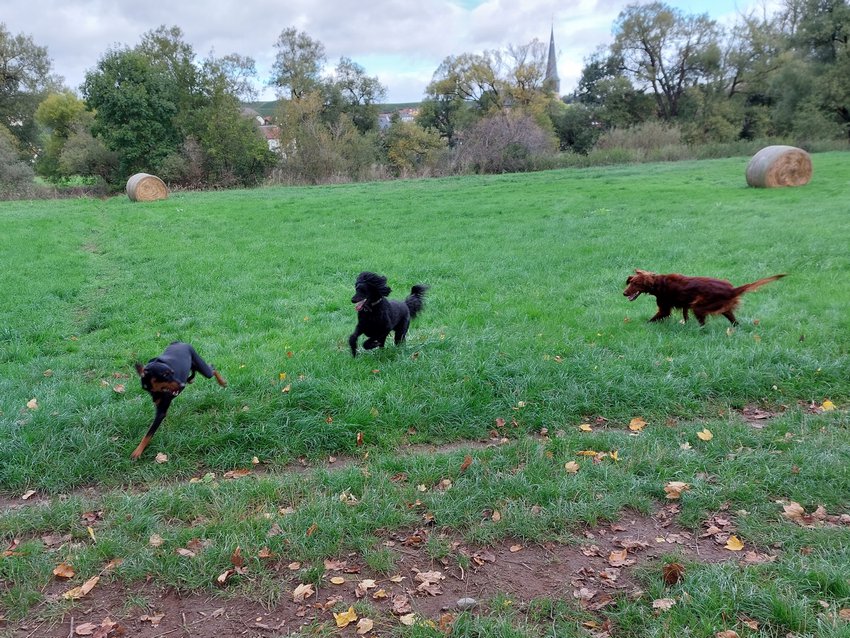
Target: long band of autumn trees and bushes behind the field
[[157, 107]]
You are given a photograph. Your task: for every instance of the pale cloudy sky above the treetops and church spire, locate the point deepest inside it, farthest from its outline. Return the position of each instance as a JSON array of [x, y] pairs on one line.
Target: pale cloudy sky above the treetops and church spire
[[402, 42]]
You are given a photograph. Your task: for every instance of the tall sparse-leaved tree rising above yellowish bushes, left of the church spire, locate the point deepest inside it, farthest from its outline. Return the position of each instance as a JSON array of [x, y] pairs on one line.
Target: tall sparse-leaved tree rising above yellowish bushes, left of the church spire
[[298, 63]]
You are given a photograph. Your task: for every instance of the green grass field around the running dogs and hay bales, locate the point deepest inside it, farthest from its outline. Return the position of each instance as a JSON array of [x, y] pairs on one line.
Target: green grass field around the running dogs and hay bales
[[525, 321]]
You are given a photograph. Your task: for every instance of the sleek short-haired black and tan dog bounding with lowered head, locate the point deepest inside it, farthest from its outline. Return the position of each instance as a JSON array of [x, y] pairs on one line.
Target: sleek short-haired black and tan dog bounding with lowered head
[[165, 376]]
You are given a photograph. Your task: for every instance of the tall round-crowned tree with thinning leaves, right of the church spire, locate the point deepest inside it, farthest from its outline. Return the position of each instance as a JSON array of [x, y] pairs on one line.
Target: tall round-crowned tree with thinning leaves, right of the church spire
[[666, 51]]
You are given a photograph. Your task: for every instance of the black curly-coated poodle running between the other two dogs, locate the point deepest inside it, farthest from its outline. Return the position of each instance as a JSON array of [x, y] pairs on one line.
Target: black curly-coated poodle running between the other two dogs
[[377, 315]]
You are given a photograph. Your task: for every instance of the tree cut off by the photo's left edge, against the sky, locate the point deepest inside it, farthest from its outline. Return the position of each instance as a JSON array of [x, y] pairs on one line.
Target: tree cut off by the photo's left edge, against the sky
[[25, 80]]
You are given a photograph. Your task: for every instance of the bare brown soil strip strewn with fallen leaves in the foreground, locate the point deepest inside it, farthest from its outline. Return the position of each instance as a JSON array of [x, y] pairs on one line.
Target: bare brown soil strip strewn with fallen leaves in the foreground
[[592, 572]]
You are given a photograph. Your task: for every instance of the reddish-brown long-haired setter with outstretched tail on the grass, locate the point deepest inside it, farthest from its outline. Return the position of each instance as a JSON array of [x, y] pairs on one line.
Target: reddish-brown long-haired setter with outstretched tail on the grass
[[704, 295]]
